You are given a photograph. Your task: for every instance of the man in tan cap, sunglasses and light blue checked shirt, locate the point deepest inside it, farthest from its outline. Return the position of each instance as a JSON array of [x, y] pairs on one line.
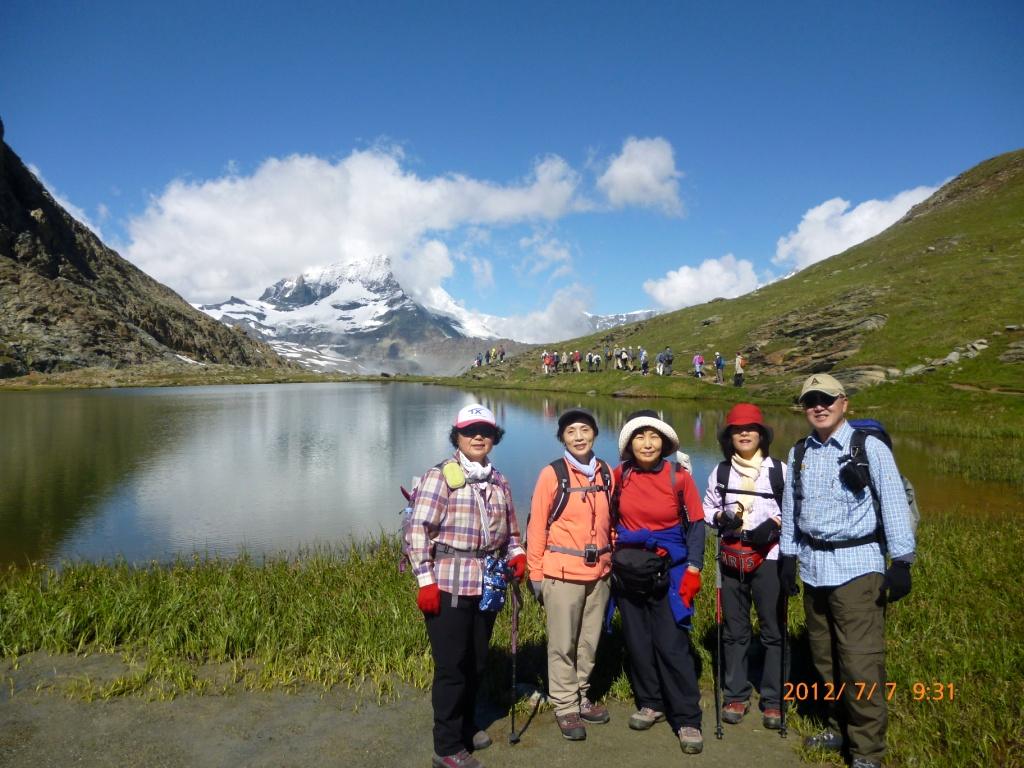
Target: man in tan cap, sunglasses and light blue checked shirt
[[841, 539]]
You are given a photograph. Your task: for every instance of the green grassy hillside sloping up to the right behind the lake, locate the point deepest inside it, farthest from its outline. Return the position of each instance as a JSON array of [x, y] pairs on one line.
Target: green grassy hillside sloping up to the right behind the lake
[[949, 274]]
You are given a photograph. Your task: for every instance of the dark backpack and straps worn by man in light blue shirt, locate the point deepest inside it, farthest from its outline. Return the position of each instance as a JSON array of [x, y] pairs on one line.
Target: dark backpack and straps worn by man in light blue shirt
[[856, 476]]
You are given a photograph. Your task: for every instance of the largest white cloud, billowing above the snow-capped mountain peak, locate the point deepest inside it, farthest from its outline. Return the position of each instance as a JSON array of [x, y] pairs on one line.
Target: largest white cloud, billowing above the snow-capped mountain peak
[[238, 235]]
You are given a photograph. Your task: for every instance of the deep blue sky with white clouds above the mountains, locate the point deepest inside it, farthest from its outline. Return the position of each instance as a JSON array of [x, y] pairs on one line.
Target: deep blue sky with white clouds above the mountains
[[532, 158]]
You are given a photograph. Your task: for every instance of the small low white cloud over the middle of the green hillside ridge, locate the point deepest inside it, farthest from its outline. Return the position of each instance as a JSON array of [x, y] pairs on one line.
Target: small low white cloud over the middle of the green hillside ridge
[[728, 277]]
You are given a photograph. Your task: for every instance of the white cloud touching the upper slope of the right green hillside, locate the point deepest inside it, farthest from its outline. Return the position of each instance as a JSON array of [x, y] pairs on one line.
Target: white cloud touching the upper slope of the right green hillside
[[832, 228]]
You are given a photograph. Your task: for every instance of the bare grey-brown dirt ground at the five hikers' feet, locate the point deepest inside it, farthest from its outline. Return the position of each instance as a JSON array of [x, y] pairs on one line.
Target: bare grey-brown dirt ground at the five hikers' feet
[[40, 728]]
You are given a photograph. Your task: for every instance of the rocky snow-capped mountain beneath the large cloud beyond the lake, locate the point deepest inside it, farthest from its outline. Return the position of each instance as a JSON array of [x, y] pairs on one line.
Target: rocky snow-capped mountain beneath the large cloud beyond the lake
[[357, 318]]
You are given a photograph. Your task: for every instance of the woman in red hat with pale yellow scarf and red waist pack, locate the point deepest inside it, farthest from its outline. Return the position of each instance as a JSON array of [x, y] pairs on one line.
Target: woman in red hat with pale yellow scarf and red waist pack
[[748, 516]]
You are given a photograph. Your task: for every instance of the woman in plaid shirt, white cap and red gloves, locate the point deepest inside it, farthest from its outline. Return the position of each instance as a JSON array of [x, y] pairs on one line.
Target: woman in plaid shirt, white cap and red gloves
[[462, 523]]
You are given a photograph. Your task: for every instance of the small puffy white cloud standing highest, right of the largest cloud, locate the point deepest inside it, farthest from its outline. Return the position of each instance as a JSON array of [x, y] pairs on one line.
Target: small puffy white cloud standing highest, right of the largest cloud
[[645, 175]]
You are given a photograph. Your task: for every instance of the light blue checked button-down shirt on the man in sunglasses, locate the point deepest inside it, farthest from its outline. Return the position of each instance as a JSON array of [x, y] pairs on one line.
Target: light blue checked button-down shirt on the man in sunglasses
[[833, 514]]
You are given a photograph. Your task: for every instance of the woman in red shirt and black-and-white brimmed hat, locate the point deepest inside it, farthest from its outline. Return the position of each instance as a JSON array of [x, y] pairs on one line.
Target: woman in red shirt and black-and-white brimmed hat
[[659, 506]]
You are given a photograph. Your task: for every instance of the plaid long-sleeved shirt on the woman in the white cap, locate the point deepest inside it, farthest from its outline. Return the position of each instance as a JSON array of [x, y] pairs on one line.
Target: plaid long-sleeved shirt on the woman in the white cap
[[478, 517]]
